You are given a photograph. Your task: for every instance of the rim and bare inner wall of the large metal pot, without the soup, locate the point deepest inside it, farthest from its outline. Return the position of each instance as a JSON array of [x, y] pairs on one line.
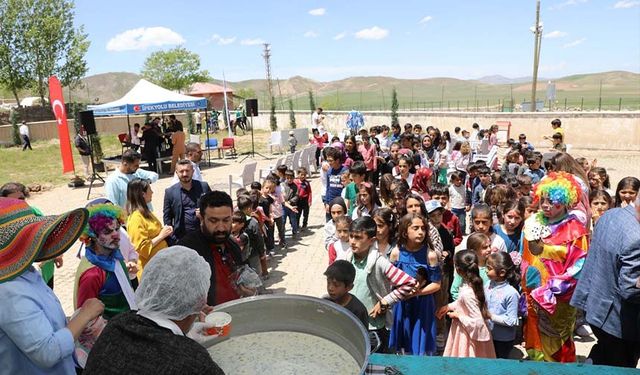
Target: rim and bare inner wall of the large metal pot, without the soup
[[302, 314]]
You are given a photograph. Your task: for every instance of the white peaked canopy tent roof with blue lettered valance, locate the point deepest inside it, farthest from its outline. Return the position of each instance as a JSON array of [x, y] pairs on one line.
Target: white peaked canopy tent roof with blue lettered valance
[[145, 97]]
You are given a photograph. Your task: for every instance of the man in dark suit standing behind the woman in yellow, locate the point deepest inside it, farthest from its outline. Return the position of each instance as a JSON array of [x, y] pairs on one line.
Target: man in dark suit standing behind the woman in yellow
[[181, 201]]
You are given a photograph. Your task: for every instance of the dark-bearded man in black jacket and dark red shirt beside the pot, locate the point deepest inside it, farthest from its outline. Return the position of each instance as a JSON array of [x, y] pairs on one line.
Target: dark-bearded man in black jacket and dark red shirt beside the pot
[[214, 243]]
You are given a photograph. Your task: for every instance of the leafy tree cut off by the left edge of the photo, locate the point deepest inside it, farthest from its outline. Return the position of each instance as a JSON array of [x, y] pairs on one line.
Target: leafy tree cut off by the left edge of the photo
[[14, 72]]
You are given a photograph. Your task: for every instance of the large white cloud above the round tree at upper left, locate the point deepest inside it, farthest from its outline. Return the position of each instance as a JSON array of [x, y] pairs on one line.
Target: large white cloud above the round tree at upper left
[[144, 37]]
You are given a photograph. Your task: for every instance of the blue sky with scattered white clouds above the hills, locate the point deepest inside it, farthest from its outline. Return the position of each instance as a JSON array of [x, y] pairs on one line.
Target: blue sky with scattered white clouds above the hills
[[327, 40]]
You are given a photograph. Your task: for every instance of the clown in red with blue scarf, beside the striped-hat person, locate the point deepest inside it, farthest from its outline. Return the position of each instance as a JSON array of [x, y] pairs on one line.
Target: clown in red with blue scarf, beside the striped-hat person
[[102, 272]]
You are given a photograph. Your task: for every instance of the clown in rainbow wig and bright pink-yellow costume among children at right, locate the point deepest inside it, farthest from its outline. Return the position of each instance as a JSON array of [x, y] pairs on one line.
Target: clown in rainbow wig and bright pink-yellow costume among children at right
[[554, 251]]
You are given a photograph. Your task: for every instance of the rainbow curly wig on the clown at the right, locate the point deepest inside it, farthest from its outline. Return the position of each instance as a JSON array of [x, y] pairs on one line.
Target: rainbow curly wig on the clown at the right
[[560, 187]]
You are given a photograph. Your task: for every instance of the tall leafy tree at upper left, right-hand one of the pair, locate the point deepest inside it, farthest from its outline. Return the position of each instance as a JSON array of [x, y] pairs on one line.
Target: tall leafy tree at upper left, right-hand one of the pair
[[53, 45]]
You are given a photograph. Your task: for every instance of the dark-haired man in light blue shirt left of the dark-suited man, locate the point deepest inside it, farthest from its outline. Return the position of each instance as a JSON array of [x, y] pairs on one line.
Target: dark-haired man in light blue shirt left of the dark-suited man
[[116, 184]]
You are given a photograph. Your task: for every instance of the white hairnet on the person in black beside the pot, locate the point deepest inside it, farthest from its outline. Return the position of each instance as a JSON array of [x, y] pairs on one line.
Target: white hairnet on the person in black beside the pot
[[174, 283]]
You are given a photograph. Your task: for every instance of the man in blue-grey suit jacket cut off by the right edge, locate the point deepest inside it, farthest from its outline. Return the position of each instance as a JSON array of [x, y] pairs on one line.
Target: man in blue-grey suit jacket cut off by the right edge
[[608, 289]]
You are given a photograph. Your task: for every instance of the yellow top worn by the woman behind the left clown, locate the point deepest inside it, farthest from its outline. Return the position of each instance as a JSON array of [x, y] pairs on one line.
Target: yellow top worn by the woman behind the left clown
[[141, 231]]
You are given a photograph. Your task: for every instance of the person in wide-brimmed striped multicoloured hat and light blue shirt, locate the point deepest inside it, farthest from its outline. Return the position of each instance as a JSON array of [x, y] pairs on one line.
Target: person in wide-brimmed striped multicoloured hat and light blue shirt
[[35, 336]]
